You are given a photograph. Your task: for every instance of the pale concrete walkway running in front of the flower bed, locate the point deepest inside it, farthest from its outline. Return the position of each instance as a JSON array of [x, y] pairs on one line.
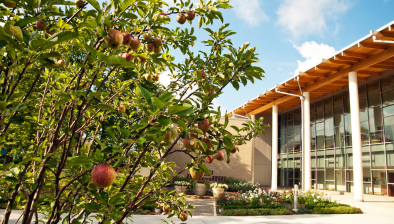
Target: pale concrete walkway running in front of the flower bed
[[378, 210]]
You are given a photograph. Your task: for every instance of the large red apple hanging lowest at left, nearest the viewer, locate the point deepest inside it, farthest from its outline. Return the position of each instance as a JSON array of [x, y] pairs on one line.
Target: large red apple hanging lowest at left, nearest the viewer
[[103, 175]]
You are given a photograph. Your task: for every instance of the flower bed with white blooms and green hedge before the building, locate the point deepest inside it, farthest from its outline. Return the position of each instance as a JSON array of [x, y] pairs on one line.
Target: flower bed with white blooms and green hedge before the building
[[264, 202]]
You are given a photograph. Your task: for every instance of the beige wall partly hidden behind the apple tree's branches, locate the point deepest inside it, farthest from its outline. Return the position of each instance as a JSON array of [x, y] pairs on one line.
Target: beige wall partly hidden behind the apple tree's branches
[[240, 165]]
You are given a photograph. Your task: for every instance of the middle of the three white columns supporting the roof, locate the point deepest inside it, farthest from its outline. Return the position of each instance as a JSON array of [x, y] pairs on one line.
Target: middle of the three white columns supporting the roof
[[307, 145]]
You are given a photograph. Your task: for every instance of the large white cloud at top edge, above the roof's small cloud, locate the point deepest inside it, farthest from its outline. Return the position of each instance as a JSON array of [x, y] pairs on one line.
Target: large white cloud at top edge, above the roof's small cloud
[[305, 17]]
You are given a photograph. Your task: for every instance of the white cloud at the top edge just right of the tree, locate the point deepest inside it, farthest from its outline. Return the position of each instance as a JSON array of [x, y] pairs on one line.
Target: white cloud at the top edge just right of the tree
[[249, 11]]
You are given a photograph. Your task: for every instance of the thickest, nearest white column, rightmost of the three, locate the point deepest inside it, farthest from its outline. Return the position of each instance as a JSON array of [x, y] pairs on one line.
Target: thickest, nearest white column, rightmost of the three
[[356, 137]]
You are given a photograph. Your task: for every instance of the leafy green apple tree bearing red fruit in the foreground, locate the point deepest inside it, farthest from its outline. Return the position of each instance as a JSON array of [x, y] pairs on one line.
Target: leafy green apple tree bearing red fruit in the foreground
[[76, 93]]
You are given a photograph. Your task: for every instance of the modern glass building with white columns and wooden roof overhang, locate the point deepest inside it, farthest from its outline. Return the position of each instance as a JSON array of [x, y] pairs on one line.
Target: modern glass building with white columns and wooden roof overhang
[[343, 108]]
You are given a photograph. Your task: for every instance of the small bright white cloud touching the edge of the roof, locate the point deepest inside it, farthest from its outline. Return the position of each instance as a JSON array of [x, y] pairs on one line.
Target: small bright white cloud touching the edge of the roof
[[313, 54]]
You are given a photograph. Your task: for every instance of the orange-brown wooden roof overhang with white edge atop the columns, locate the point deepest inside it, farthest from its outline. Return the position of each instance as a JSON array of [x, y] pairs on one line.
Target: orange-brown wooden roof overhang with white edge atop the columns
[[368, 56]]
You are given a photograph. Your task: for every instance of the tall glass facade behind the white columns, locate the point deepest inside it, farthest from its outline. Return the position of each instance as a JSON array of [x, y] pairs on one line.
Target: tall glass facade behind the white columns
[[331, 141]]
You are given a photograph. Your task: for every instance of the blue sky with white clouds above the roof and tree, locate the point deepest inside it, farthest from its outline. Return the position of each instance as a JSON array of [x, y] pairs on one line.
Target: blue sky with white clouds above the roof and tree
[[293, 35]]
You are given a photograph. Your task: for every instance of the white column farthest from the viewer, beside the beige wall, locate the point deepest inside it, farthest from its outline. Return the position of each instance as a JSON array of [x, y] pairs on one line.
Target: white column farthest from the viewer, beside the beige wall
[[274, 162]]
